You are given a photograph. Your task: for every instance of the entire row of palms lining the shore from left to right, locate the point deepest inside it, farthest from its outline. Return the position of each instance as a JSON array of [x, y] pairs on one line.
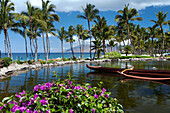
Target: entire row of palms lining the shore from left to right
[[39, 22]]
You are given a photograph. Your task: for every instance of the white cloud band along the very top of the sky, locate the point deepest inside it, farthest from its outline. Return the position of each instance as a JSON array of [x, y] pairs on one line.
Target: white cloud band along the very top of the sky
[[75, 5]]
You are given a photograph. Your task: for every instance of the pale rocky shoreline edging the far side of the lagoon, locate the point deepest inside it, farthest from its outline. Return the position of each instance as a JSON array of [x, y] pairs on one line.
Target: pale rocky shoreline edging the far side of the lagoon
[[15, 69]]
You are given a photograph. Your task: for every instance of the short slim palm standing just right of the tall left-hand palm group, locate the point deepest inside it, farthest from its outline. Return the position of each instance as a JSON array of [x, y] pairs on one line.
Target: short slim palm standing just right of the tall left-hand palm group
[[62, 35]]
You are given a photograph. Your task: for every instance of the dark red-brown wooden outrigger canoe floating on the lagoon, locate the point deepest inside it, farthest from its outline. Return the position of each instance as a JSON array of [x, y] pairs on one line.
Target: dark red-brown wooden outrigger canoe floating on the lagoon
[[141, 73]]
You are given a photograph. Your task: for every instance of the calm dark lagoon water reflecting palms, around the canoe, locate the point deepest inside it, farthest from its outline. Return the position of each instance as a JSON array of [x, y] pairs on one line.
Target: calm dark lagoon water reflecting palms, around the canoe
[[135, 96]]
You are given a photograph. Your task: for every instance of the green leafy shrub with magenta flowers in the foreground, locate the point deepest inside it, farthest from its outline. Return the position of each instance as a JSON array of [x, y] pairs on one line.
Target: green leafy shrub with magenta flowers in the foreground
[[61, 96]]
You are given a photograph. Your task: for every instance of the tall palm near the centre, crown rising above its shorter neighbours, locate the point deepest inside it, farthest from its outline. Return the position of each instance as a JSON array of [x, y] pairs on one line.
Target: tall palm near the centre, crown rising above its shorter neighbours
[[90, 14]]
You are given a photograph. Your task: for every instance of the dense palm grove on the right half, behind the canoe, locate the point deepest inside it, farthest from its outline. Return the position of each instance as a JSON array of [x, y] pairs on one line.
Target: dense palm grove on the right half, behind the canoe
[[141, 40]]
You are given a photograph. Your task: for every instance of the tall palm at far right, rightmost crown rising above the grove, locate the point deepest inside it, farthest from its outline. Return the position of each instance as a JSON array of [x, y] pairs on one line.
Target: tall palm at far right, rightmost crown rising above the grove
[[160, 22]]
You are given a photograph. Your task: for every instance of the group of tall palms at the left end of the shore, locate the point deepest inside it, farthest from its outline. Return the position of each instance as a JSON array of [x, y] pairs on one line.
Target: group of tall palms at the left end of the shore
[[32, 23]]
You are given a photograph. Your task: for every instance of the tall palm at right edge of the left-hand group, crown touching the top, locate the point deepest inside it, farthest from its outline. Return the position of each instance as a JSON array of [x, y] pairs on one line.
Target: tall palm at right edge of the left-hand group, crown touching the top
[[48, 11]]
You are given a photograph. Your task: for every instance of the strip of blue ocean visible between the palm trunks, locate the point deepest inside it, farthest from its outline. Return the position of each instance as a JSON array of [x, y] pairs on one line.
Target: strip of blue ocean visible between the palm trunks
[[23, 57]]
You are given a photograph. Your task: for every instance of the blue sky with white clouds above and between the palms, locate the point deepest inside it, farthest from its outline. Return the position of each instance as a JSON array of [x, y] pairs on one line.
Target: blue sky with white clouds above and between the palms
[[69, 9]]
